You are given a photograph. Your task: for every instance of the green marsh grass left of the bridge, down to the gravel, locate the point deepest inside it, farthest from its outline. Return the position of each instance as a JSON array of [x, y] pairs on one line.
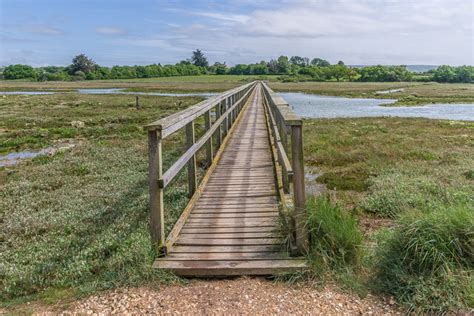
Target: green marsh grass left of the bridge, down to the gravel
[[77, 222]]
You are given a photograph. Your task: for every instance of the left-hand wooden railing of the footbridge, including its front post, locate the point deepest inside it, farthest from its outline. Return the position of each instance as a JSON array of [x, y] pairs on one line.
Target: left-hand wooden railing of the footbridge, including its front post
[[226, 108]]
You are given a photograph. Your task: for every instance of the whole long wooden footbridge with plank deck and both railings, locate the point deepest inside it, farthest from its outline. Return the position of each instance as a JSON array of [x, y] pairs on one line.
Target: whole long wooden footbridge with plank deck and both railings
[[247, 215]]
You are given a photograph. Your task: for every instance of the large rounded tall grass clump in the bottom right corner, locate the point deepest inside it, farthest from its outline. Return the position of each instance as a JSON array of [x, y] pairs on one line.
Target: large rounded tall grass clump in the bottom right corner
[[427, 261]]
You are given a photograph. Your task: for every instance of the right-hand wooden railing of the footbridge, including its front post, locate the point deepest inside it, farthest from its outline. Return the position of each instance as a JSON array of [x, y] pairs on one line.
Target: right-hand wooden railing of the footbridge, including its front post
[[286, 128]]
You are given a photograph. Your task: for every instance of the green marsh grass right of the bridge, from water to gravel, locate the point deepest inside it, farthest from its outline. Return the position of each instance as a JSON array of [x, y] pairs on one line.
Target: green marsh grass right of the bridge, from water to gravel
[[416, 175]]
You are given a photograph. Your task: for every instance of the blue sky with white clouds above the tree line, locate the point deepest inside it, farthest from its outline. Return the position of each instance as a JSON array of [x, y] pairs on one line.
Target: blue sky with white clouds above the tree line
[[139, 32]]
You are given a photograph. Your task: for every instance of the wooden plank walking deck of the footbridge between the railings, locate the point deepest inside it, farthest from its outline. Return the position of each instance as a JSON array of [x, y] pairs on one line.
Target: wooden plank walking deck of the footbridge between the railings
[[233, 229]]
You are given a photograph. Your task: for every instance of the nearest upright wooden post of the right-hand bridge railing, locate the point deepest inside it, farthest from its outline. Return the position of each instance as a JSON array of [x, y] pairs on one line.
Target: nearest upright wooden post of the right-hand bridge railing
[[298, 188]]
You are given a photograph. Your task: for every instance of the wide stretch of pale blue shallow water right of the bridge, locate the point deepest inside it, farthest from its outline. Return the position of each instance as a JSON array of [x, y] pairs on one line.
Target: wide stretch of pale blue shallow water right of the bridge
[[317, 106]]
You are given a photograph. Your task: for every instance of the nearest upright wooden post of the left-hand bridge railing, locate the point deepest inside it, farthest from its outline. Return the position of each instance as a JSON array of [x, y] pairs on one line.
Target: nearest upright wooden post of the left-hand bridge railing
[[155, 172]]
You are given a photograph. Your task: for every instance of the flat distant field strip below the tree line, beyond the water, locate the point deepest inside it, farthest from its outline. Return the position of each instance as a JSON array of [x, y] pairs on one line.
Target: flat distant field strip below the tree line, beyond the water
[[413, 93]]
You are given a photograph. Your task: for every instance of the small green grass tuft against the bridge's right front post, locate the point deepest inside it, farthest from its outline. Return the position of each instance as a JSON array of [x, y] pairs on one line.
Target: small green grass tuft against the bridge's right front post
[[335, 239]]
